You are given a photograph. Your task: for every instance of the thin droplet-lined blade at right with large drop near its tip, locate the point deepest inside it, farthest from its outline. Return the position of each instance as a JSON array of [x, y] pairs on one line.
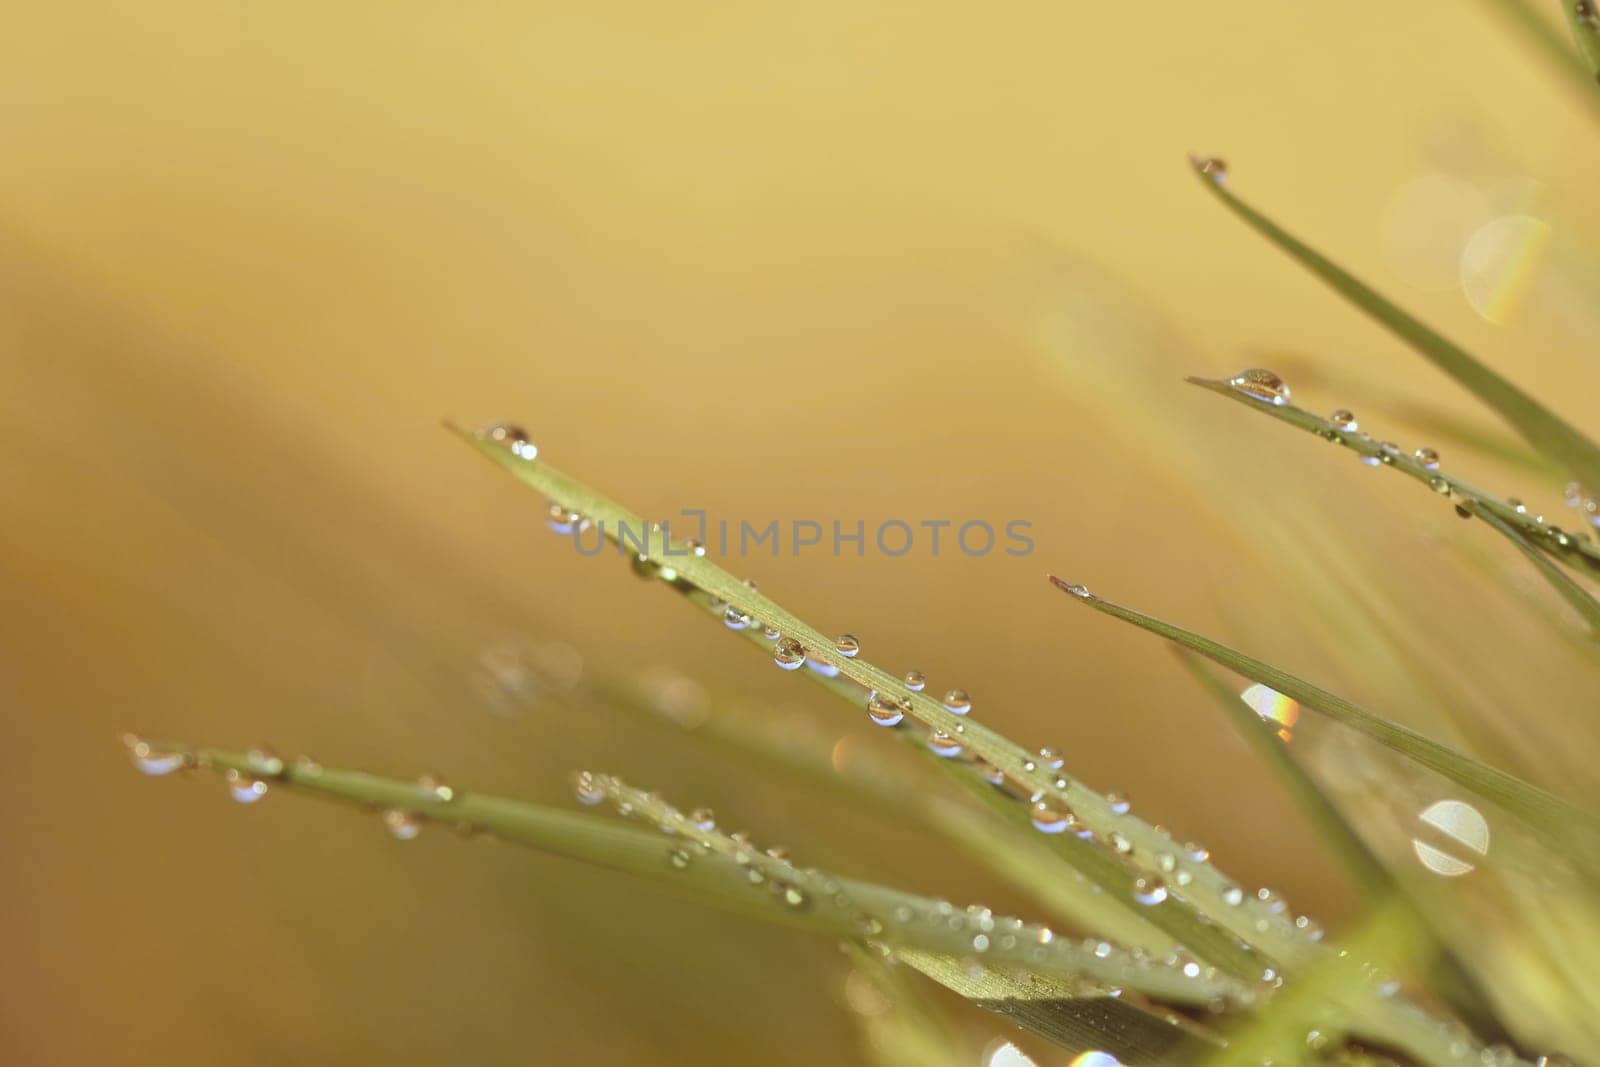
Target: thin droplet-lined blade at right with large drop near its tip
[[1572, 549]]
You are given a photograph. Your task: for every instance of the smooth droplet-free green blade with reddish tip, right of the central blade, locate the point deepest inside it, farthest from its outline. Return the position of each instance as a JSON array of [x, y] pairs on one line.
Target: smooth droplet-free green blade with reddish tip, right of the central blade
[[1553, 818]]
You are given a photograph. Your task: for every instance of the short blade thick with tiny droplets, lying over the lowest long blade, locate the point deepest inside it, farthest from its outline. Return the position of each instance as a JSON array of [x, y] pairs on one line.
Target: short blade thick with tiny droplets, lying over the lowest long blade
[[897, 919]]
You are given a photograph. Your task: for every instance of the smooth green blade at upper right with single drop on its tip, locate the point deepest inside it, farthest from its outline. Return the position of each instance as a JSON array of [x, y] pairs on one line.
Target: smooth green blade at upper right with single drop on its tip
[[1538, 425]]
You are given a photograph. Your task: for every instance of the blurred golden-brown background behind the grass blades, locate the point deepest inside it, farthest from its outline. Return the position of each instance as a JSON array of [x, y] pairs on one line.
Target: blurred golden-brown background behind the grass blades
[[825, 262]]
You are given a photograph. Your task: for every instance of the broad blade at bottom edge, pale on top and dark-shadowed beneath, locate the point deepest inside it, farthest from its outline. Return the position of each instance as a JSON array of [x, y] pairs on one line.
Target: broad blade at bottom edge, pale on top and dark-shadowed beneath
[[1050, 1009]]
